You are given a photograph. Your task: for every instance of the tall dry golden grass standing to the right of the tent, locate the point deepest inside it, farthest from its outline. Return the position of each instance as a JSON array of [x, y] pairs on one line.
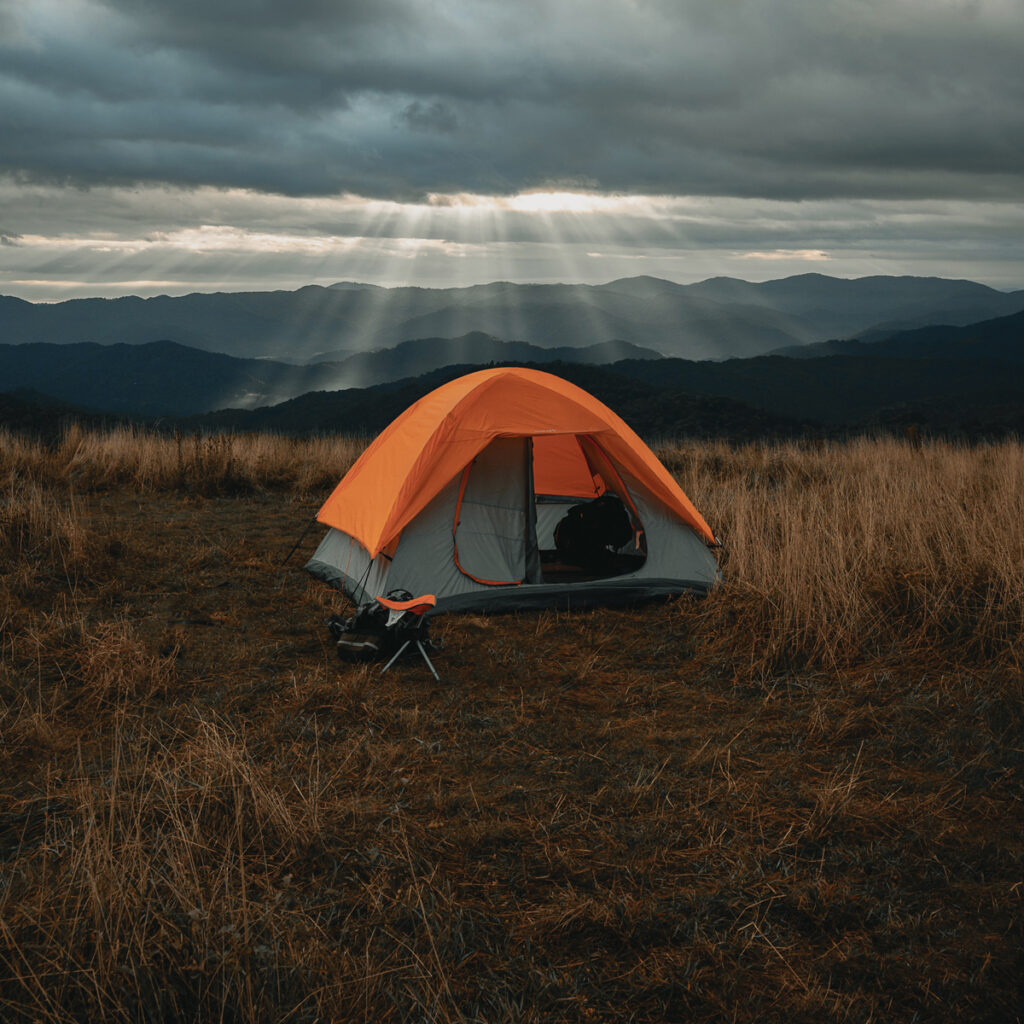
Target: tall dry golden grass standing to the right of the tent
[[841, 552]]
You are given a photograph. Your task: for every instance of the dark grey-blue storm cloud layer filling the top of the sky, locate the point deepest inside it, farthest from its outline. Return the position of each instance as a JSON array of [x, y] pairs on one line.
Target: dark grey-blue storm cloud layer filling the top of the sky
[[786, 99]]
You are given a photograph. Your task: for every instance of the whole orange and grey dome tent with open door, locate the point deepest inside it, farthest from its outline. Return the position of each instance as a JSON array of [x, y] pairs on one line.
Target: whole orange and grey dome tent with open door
[[461, 495]]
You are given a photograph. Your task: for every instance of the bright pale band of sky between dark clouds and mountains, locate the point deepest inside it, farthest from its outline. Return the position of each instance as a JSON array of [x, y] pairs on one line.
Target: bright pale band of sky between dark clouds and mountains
[[162, 241]]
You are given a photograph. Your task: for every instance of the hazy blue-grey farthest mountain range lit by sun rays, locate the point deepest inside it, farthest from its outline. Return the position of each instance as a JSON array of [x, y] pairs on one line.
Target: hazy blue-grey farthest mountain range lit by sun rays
[[719, 319]]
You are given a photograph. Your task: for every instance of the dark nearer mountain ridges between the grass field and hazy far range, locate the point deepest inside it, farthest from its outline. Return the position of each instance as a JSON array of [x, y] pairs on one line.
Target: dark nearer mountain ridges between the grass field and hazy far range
[[962, 381]]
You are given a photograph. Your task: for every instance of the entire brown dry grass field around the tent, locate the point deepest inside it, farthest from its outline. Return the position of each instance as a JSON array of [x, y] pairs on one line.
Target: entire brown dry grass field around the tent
[[798, 800]]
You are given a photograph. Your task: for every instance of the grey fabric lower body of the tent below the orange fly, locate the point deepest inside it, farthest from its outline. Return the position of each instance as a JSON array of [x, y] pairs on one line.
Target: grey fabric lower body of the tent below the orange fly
[[485, 552]]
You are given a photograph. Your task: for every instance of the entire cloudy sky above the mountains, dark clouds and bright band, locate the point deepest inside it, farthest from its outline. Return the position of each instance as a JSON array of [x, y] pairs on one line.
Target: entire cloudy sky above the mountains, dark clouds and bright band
[[153, 147]]
